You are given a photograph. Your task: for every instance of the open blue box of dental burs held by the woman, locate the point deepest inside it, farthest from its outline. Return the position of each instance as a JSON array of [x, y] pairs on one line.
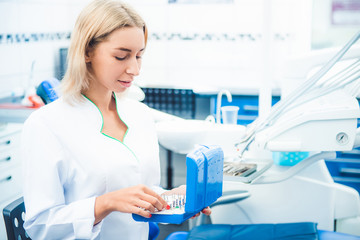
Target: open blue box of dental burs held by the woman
[[204, 180]]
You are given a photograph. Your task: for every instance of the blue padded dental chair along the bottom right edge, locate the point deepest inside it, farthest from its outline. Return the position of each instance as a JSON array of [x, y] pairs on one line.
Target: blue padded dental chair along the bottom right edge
[[208, 231]]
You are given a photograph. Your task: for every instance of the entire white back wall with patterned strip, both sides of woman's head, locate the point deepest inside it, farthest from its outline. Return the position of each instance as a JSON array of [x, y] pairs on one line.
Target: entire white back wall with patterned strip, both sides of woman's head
[[206, 44]]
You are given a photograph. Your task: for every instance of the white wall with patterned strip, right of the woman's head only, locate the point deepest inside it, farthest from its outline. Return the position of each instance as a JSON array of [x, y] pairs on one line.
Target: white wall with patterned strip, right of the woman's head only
[[233, 58]]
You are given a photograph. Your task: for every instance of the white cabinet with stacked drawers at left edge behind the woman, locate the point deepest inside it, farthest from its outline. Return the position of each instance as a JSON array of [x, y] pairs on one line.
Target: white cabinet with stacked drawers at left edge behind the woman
[[10, 168]]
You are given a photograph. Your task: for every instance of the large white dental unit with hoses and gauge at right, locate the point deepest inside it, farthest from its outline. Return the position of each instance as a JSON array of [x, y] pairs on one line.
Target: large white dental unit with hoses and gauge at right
[[314, 122]]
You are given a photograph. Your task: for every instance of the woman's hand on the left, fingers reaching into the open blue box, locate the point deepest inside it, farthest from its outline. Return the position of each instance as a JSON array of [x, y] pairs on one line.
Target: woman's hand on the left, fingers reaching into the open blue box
[[138, 199]]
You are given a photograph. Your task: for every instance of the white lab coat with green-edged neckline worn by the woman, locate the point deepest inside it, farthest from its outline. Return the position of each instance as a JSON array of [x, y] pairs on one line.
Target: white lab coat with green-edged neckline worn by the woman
[[68, 162]]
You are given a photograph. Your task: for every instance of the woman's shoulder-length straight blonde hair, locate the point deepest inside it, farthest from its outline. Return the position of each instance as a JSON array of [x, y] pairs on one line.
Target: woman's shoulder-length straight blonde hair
[[94, 24]]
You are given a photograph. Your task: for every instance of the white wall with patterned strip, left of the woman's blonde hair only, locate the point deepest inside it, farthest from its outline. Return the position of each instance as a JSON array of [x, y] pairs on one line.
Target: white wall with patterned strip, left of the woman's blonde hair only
[[32, 31]]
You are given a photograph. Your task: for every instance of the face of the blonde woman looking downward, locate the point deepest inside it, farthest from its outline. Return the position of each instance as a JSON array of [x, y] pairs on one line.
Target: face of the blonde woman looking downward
[[116, 61]]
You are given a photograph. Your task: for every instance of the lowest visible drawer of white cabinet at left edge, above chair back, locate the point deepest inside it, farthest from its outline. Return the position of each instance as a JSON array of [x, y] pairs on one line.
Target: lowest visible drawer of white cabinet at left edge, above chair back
[[10, 183]]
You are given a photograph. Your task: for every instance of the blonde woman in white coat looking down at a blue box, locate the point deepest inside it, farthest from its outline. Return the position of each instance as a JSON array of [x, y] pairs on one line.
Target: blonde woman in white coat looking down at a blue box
[[91, 157]]
